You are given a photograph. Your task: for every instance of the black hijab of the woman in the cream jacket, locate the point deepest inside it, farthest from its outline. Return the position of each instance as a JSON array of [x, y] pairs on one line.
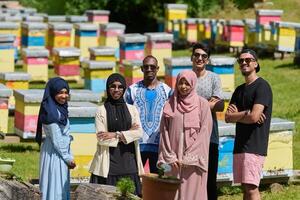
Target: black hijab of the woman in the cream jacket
[[118, 116]]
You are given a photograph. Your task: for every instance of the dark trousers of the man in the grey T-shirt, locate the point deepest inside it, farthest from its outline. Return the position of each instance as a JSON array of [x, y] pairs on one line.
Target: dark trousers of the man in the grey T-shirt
[[212, 171]]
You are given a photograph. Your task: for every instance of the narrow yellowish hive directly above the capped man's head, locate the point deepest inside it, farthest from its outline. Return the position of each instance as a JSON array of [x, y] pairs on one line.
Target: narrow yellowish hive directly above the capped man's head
[[250, 32]]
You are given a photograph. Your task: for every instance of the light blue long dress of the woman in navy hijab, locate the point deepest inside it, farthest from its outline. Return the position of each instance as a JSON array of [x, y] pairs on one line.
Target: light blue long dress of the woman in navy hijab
[[55, 154]]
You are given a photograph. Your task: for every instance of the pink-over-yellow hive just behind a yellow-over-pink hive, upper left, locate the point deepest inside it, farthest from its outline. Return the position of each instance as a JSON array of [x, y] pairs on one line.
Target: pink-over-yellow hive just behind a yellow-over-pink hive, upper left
[[59, 35]]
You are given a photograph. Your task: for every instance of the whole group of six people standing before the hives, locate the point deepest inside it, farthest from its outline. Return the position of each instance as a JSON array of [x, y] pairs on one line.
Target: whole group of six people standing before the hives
[[148, 121]]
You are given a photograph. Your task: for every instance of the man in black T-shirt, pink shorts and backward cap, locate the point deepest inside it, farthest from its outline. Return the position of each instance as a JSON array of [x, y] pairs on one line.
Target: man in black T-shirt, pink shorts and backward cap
[[250, 108]]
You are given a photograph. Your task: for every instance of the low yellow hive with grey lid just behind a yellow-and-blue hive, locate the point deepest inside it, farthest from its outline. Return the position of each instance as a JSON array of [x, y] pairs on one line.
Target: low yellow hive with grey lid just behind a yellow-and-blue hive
[[103, 53]]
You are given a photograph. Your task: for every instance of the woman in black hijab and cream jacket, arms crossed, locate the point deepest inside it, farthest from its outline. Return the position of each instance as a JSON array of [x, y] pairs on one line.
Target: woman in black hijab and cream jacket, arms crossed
[[118, 131]]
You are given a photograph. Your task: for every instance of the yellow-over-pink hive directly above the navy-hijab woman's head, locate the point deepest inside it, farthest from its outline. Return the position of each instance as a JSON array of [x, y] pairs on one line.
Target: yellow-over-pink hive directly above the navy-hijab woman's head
[[66, 62]]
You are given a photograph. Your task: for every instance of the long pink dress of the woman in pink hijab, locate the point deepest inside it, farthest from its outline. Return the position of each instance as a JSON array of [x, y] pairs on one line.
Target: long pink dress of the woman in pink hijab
[[190, 147]]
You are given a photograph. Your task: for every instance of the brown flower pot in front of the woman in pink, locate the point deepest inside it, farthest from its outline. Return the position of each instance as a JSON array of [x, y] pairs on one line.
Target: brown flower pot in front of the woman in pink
[[155, 188]]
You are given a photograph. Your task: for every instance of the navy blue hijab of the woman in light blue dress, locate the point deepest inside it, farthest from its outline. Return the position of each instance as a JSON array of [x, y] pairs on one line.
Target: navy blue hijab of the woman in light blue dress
[[49, 107]]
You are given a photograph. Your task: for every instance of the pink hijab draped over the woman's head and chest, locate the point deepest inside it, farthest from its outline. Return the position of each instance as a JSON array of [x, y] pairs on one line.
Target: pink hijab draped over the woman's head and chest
[[185, 104]]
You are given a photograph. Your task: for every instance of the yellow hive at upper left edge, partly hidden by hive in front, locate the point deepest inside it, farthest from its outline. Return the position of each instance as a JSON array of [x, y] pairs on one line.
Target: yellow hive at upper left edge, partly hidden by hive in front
[[12, 28]]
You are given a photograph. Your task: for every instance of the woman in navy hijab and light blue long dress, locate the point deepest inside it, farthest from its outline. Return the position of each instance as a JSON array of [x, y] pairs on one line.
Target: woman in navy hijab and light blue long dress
[[56, 158]]
